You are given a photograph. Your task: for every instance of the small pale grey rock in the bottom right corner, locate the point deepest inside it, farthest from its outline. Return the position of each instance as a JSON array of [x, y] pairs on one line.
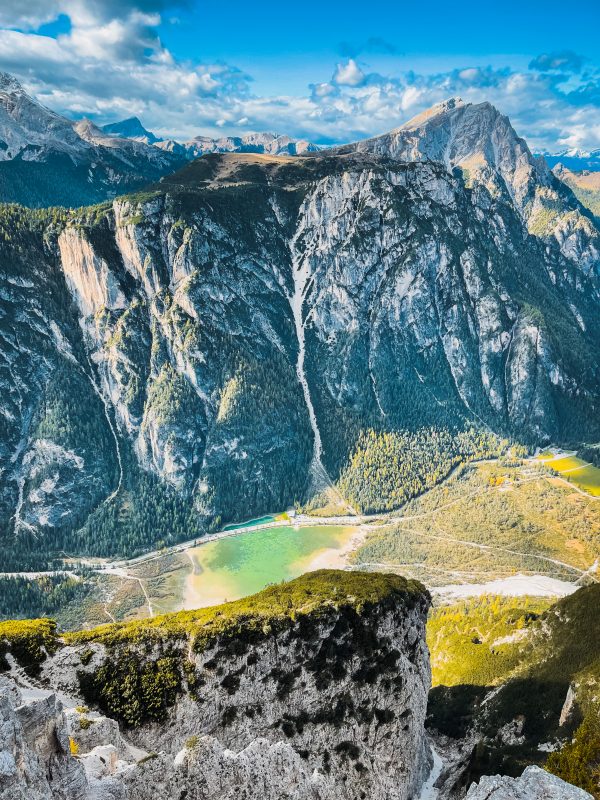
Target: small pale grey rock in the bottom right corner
[[534, 784]]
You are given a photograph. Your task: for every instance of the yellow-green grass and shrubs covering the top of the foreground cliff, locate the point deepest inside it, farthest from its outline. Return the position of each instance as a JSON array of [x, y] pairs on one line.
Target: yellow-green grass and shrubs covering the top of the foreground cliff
[[147, 665]]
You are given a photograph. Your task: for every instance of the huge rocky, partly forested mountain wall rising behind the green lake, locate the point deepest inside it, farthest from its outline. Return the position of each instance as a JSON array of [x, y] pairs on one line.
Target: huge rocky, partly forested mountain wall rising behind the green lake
[[255, 329]]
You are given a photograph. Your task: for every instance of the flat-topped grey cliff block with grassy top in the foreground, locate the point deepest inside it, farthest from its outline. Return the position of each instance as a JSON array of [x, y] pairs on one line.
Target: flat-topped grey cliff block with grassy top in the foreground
[[316, 689]]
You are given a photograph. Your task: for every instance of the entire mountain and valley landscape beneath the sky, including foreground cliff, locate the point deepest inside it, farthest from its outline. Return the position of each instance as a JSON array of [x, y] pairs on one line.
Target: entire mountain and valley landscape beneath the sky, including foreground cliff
[[397, 340]]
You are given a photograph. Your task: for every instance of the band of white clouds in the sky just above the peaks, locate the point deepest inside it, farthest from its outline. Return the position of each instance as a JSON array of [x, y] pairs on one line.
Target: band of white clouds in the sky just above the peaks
[[110, 64]]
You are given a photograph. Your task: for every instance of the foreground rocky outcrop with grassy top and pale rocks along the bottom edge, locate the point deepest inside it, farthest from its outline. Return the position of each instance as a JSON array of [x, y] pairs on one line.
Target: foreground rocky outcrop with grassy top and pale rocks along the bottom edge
[[313, 689]]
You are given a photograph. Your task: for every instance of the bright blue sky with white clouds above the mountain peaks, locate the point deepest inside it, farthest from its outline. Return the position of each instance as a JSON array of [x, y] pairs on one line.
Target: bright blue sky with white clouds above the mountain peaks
[[328, 71]]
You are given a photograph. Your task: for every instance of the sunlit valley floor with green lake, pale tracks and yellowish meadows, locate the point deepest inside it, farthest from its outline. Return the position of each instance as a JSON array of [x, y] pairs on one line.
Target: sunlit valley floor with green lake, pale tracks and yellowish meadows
[[493, 527]]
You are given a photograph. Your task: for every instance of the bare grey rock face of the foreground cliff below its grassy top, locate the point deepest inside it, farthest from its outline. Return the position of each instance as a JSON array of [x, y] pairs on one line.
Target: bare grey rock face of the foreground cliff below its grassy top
[[344, 697]]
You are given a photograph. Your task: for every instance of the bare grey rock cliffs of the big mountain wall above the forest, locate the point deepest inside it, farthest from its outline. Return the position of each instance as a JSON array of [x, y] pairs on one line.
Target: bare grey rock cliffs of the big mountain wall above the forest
[[408, 286]]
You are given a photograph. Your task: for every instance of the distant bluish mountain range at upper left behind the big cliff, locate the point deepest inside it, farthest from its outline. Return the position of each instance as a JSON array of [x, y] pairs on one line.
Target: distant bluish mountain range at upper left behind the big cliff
[[47, 159]]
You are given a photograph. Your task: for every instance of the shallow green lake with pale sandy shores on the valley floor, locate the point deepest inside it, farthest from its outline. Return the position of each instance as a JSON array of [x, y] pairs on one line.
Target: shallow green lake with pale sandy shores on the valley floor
[[240, 565]]
